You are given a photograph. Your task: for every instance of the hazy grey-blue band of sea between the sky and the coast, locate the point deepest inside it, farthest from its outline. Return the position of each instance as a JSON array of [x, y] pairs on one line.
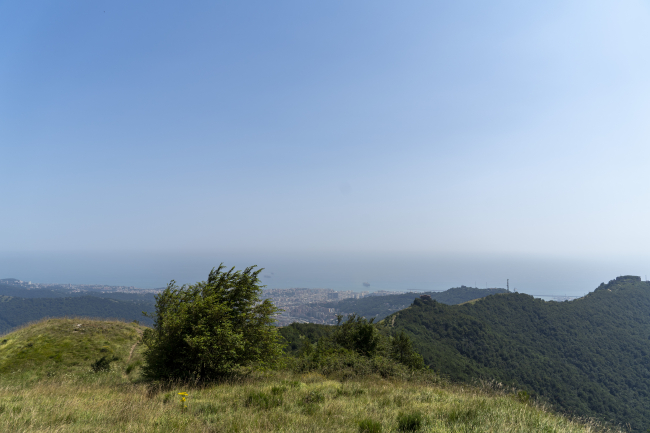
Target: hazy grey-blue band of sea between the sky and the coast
[[394, 272]]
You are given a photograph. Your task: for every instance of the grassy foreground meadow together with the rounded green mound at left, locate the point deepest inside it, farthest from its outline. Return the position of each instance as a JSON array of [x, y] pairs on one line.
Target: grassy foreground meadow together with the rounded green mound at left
[[47, 385]]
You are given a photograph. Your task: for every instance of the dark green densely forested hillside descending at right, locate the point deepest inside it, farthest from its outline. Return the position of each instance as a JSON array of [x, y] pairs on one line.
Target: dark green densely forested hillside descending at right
[[590, 357]]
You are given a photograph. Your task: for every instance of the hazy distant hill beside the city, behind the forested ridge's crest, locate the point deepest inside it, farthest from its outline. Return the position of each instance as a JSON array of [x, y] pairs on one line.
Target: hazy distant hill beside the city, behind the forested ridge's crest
[[381, 306]]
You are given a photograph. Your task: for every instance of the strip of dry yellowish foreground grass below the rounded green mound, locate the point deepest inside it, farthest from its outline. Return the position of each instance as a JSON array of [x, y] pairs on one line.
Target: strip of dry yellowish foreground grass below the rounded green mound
[[114, 401]]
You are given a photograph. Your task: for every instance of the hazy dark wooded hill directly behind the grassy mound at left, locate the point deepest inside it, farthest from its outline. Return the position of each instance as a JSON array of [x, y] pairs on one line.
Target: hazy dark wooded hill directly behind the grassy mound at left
[[15, 312]]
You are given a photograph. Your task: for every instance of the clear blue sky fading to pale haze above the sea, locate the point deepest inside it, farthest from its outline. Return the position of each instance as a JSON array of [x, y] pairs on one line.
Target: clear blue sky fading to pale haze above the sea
[[502, 127]]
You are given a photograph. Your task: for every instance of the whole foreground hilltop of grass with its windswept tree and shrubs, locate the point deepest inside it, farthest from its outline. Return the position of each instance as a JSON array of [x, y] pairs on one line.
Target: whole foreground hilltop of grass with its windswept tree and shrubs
[[79, 375]]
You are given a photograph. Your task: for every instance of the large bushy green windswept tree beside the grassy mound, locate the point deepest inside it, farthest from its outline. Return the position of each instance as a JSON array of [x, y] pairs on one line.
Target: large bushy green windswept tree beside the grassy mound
[[206, 330]]
